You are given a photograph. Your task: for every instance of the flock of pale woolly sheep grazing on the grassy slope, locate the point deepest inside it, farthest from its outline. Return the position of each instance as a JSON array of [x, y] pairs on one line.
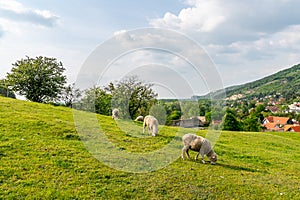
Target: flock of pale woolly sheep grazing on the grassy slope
[[190, 141]]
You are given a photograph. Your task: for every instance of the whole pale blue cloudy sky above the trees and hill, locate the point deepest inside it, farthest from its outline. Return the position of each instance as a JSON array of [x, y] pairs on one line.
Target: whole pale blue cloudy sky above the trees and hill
[[245, 40]]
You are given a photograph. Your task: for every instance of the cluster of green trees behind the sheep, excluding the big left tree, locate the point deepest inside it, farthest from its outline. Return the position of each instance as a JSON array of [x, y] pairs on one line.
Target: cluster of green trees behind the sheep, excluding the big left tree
[[131, 96]]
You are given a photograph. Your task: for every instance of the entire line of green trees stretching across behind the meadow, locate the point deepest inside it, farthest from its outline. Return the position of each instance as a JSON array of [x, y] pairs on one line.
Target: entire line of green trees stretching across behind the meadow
[[42, 80]]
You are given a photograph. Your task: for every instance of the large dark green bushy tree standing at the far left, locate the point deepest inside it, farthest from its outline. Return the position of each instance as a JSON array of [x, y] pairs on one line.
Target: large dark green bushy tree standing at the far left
[[39, 79]]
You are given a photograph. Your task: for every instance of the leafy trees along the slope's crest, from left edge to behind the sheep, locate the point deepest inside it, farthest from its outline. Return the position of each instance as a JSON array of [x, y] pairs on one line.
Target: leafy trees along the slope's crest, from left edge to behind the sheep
[[42, 80]]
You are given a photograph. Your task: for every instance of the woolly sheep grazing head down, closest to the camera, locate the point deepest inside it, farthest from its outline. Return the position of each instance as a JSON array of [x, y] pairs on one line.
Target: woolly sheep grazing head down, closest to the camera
[[199, 144]]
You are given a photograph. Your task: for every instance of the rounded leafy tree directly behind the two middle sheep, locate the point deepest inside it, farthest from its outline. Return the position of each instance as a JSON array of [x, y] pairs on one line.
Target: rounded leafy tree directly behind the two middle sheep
[[133, 97]]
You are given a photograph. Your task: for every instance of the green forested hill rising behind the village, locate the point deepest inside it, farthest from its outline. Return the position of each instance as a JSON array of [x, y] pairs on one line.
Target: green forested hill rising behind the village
[[285, 83]]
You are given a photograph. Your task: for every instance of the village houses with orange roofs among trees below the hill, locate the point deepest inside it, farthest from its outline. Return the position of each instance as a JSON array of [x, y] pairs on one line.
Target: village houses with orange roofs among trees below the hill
[[277, 115]]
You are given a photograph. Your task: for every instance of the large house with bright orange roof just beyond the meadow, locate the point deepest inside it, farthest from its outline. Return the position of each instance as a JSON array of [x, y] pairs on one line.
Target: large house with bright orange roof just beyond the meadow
[[273, 123]]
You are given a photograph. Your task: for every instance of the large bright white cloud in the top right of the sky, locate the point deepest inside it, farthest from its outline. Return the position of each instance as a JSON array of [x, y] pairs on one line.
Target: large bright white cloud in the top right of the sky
[[218, 21]]
